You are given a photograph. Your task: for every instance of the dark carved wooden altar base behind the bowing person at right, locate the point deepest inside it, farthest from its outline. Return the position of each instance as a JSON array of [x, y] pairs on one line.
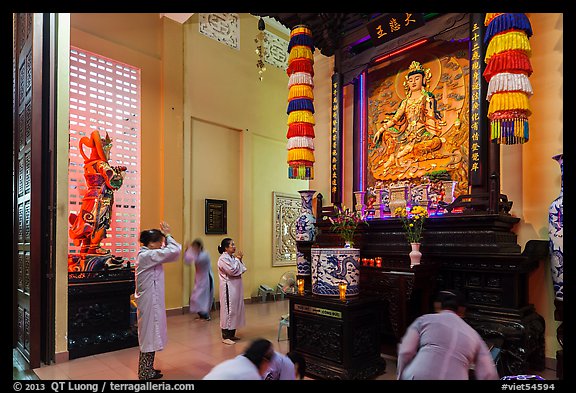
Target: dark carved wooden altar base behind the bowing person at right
[[476, 254]]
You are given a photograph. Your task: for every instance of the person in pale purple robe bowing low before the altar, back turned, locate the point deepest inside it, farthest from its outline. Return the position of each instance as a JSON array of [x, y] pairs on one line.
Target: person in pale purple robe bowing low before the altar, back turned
[[443, 346]]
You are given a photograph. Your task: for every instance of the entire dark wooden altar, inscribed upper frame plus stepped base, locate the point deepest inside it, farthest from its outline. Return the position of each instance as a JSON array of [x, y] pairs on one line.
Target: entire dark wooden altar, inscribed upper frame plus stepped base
[[475, 249]]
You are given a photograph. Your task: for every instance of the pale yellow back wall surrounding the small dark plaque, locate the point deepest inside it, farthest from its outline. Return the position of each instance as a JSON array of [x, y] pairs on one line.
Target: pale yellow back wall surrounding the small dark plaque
[[245, 164]]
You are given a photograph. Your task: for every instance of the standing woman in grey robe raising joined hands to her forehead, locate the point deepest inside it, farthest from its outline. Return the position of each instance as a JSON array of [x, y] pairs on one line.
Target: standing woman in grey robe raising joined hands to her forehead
[[158, 247]]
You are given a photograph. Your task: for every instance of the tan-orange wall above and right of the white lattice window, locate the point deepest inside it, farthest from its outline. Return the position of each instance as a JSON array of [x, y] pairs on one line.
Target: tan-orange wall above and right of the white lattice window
[[153, 45]]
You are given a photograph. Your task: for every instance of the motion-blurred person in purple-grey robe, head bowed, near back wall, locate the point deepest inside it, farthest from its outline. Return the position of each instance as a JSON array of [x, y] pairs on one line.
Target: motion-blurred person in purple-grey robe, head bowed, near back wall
[[202, 296]]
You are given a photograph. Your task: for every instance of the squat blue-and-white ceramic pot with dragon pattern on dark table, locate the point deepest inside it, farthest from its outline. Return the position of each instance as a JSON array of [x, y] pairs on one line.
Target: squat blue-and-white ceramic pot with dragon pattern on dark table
[[332, 266]]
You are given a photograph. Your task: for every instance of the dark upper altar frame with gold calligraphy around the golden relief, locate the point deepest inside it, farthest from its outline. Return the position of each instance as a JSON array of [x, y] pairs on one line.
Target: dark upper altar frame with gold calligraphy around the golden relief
[[484, 173]]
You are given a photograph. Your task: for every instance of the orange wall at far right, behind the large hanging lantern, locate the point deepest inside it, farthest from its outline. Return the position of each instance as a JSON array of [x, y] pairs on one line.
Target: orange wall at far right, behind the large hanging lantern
[[539, 184]]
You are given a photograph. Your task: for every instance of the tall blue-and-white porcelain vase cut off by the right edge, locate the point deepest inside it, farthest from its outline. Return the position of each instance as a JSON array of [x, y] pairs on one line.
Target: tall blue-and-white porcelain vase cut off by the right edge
[[555, 234]]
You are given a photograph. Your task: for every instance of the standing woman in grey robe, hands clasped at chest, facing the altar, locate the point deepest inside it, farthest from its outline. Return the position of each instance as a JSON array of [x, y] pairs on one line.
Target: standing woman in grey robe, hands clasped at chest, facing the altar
[[230, 270]]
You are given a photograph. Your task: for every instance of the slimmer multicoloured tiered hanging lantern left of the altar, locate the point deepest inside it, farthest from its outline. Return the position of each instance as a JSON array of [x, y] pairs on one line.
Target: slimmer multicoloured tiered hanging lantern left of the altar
[[300, 109]]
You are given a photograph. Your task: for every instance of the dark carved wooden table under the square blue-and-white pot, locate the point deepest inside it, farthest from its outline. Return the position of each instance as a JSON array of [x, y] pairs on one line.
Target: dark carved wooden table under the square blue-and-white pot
[[340, 339]]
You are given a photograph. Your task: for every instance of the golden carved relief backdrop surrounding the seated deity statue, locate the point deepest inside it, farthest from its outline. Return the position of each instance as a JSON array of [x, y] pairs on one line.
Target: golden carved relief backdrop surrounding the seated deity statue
[[449, 65]]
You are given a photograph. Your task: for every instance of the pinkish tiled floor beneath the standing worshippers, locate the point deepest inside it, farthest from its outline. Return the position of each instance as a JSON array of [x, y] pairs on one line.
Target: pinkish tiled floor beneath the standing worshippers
[[194, 347]]
